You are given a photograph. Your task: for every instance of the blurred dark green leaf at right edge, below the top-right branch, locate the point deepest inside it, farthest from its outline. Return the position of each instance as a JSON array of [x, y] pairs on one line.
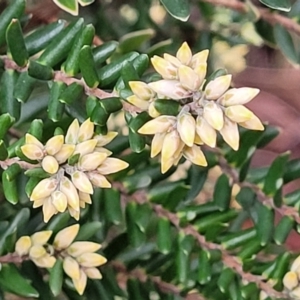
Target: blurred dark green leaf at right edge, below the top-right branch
[[285, 43]]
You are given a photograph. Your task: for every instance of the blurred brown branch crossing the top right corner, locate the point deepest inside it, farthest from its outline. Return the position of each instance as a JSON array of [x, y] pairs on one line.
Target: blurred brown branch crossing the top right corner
[[266, 14]]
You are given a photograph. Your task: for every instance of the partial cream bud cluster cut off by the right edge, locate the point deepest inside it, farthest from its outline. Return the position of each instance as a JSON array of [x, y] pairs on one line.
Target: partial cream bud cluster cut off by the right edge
[[291, 280]]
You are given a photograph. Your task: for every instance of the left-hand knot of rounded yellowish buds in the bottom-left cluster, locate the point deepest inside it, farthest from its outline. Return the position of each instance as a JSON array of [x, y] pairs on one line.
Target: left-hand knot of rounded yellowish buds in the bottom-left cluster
[[36, 248]]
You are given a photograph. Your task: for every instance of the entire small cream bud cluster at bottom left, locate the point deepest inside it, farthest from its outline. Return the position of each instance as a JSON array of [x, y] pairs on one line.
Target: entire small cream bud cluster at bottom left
[[79, 257]]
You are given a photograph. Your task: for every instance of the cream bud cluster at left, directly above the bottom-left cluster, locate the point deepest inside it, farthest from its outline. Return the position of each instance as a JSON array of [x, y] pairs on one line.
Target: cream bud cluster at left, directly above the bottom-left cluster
[[75, 163]]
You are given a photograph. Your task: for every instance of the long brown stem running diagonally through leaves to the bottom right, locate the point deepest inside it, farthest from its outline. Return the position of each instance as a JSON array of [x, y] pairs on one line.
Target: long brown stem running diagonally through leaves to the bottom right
[[228, 260]]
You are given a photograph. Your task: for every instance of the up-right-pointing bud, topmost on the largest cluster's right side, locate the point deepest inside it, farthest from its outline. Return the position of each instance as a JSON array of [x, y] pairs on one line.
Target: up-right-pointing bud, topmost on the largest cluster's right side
[[217, 87]]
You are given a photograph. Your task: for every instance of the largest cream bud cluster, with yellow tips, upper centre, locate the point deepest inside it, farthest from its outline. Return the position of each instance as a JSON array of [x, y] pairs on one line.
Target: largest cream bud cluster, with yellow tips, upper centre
[[205, 108]]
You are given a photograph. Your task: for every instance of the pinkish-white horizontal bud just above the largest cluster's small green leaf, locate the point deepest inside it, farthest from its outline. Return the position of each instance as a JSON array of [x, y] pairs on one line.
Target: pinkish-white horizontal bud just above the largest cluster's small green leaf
[[170, 88]]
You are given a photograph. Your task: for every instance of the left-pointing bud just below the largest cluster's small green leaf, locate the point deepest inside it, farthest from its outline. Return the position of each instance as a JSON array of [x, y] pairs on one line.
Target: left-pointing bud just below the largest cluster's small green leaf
[[158, 125]]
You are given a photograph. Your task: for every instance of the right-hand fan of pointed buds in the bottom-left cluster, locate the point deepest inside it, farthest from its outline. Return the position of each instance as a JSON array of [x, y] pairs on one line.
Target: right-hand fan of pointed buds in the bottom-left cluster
[[79, 258]]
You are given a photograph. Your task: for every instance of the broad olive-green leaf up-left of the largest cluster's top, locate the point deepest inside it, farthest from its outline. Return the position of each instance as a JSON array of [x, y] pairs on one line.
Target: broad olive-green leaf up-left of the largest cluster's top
[[133, 40]]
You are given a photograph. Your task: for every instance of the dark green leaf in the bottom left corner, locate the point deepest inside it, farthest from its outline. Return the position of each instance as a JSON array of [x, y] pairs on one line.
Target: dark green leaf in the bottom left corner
[[12, 281]]
